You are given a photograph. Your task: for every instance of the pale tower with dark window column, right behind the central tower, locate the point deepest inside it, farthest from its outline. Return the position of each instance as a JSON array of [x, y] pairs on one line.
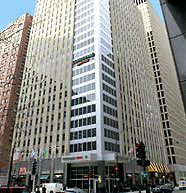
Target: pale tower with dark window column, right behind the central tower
[[168, 91]]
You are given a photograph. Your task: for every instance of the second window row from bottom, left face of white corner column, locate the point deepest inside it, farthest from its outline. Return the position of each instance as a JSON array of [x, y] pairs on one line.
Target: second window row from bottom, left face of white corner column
[[83, 134]]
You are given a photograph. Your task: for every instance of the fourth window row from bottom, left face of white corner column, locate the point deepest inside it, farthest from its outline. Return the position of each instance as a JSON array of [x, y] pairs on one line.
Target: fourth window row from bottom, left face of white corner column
[[83, 110]]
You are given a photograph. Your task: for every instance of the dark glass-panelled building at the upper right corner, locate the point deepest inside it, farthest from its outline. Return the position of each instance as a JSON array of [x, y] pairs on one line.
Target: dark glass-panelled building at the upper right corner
[[174, 15]]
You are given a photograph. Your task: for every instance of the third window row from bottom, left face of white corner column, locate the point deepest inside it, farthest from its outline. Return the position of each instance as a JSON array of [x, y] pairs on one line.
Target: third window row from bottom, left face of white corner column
[[83, 122]]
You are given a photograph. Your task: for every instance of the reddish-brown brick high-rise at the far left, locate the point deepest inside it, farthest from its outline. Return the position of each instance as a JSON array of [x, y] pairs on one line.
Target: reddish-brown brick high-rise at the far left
[[13, 49]]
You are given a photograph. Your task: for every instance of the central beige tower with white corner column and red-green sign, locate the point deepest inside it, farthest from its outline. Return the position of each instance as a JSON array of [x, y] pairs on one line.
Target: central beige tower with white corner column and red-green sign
[[88, 94]]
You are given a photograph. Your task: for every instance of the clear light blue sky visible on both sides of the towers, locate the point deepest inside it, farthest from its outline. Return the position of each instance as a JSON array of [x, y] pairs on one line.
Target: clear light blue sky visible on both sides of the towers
[[12, 9]]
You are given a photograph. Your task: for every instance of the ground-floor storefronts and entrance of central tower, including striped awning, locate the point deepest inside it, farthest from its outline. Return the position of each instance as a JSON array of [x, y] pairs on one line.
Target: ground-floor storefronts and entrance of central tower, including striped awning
[[90, 174]]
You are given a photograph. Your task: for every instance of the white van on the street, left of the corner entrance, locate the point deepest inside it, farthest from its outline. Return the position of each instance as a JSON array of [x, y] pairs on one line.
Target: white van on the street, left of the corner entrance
[[52, 187]]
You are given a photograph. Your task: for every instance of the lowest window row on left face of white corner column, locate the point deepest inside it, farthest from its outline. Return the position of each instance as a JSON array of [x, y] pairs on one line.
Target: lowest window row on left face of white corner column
[[87, 146]]
